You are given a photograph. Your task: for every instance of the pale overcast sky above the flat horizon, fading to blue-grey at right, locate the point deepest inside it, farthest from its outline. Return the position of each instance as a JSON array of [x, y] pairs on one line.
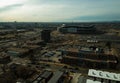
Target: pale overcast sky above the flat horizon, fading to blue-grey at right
[[59, 10]]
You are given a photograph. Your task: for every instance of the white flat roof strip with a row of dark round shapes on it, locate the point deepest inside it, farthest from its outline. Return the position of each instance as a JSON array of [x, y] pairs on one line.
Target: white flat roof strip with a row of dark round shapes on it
[[104, 74]]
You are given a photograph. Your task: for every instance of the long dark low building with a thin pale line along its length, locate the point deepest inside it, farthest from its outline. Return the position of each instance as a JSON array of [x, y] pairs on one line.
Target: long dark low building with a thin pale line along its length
[[90, 60]]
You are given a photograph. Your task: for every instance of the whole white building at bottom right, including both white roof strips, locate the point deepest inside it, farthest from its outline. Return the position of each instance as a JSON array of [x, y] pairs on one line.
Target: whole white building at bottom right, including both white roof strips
[[98, 76]]
